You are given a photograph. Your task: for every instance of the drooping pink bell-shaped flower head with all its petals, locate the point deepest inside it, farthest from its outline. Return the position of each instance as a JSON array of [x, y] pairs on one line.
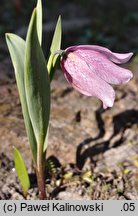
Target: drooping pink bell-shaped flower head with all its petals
[[91, 69]]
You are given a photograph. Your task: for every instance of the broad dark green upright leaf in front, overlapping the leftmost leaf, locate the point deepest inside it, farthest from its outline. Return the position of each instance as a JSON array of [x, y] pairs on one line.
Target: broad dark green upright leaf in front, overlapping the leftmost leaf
[[37, 84]]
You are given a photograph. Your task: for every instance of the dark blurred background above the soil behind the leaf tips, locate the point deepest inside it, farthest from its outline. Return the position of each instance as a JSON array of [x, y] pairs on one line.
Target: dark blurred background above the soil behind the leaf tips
[[111, 23]]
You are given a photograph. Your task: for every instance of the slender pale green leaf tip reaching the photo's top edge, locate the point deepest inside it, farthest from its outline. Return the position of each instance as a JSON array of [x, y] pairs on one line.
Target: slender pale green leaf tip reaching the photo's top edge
[[39, 20]]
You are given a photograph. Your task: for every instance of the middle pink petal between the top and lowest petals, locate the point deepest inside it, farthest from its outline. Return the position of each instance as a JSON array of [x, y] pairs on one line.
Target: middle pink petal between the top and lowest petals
[[103, 67]]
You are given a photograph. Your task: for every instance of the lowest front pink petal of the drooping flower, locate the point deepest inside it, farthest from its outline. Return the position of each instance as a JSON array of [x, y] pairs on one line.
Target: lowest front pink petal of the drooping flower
[[79, 75]]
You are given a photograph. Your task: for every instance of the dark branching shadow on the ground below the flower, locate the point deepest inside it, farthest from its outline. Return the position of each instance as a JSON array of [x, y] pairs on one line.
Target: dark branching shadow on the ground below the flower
[[121, 122]]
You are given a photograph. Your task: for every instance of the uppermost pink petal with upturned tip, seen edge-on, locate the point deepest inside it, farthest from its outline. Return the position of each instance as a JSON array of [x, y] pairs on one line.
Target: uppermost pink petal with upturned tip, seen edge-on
[[118, 58]]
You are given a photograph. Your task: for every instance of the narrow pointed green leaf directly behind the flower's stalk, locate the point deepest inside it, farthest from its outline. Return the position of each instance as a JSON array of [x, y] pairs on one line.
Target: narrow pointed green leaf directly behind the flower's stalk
[[56, 45]]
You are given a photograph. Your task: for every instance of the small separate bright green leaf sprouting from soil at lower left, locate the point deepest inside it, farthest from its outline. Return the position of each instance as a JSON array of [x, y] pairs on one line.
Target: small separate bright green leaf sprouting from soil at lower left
[[21, 171]]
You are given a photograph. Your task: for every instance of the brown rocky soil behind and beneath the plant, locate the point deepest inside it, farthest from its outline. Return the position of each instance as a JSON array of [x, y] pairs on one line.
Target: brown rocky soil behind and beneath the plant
[[92, 153]]
